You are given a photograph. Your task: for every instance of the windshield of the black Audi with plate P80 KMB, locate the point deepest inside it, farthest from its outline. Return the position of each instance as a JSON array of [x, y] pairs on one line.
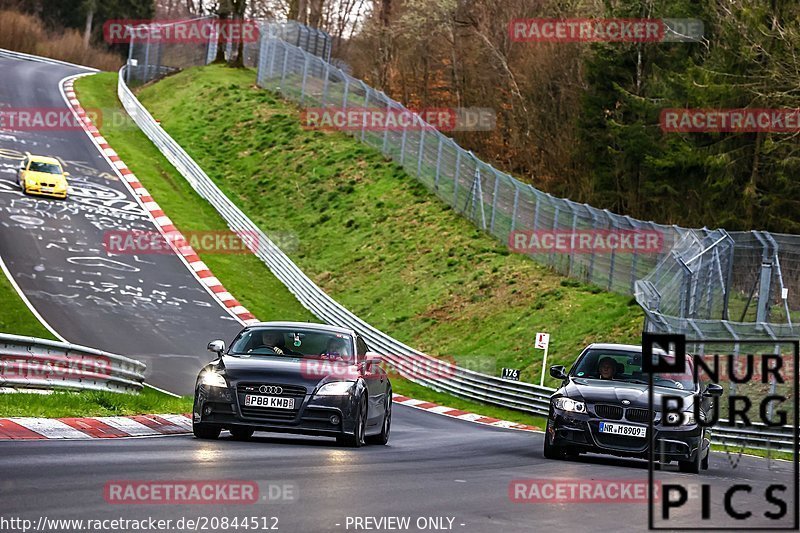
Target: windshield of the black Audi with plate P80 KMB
[[302, 343]]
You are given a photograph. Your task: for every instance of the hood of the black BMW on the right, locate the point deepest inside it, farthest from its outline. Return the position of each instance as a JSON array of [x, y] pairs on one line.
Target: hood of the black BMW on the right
[[614, 392]]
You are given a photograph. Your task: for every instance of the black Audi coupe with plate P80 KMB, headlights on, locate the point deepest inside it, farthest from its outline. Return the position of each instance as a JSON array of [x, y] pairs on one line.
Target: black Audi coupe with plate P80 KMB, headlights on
[[291, 377]]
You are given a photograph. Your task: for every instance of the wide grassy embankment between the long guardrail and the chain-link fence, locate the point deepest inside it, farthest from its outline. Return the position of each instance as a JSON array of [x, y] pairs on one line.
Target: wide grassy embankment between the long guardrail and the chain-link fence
[[373, 237]]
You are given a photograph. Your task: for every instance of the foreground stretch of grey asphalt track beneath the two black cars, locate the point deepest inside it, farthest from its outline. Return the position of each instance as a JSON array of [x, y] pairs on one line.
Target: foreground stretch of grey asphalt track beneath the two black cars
[[433, 467]]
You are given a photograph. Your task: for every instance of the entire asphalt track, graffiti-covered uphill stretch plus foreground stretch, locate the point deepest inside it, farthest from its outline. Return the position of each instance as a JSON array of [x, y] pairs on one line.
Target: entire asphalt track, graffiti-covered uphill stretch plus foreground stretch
[[441, 473]]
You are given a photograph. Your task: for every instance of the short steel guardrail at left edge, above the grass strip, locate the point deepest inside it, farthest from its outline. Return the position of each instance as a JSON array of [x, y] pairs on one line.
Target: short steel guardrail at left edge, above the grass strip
[[32, 363]]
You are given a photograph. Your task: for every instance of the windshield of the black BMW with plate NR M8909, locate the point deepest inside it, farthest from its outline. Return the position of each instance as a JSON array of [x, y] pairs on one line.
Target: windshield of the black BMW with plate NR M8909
[[627, 367]]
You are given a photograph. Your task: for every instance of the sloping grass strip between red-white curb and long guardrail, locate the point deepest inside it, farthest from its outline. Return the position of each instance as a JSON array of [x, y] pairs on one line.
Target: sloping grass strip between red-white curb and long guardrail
[[244, 275]]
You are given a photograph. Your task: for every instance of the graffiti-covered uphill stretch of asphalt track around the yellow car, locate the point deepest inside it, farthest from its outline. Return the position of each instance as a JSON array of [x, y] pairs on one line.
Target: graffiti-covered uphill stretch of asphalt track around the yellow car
[[148, 307]]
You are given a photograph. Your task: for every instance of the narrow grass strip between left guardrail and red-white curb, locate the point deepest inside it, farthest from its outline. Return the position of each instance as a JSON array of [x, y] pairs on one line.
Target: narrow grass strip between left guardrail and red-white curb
[[91, 403]]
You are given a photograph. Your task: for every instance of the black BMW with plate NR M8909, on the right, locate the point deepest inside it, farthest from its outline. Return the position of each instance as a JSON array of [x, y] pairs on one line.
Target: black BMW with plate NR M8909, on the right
[[602, 406]]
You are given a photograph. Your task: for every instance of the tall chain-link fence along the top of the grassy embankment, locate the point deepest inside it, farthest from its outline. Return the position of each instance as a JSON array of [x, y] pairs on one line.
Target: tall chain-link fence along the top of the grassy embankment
[[703, 283]]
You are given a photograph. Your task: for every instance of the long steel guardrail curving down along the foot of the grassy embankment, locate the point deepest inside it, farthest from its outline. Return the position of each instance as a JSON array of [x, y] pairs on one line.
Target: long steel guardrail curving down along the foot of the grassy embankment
[[462, 382]]
